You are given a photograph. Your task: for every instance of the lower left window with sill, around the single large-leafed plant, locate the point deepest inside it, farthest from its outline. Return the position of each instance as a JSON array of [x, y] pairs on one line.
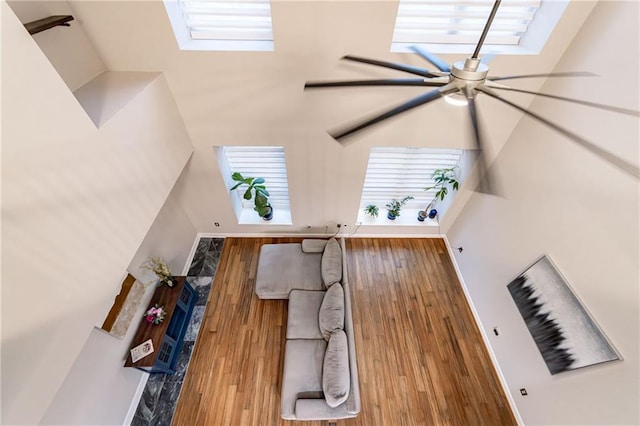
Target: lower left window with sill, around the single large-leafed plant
[[267, 162]]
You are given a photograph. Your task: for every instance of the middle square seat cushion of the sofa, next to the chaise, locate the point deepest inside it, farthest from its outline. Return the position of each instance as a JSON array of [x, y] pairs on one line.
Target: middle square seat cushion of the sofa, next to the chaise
[[302, 320]]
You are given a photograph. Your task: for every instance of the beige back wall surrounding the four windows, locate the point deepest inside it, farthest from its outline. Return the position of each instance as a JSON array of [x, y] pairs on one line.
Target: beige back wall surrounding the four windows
[[248, 98]]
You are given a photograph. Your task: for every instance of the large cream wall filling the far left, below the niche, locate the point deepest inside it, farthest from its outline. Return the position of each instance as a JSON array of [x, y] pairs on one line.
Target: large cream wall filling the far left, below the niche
[[76, 204]]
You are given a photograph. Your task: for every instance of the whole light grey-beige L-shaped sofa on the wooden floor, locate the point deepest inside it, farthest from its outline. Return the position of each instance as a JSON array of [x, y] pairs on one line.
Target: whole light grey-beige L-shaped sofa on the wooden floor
[[320, 373]]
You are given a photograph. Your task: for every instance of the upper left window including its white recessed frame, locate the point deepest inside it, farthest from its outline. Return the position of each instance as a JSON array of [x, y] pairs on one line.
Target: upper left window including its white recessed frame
[[221, 25]]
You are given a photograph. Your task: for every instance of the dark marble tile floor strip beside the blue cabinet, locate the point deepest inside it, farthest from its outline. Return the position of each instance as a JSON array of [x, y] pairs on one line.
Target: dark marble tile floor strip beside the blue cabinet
[[161, 393]]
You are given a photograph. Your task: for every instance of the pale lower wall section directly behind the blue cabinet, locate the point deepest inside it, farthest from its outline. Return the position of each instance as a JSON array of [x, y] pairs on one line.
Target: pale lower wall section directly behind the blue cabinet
[[98, 390]]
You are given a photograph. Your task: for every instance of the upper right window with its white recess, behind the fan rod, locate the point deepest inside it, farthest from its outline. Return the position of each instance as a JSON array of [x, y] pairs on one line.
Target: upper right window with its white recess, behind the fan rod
[[454, 26]]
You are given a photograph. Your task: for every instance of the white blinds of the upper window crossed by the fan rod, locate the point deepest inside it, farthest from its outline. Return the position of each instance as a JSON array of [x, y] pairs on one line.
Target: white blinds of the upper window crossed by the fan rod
[[461, 22]]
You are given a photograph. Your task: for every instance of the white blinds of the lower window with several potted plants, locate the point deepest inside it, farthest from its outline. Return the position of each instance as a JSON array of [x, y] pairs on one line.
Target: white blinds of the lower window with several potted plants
[[399, 172]]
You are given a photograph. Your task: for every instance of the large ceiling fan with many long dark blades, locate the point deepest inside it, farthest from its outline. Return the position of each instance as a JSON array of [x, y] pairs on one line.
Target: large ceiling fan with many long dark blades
[[467, 79]]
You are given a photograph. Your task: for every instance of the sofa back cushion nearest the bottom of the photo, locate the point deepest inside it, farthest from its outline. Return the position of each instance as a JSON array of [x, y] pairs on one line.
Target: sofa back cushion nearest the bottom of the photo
[[336, 379]]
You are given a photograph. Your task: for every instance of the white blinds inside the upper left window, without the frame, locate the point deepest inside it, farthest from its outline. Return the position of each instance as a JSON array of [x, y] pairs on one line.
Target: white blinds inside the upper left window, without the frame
[[238, 20]]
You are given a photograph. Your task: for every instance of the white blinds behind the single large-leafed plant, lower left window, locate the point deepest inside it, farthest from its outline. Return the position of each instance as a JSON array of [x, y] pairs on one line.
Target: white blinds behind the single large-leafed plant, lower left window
[[267, 162]]
